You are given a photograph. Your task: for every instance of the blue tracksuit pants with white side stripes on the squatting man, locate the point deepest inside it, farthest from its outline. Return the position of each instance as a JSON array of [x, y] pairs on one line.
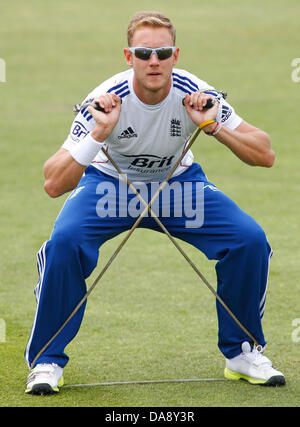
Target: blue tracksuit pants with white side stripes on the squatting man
[[97, 211]]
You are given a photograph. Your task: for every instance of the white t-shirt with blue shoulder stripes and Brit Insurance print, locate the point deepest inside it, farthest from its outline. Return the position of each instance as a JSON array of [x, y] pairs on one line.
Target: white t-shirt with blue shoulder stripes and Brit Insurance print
[[148, 139]]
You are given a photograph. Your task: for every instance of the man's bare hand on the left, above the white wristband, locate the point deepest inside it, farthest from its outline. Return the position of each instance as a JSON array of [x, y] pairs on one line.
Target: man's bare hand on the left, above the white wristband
[[107, 120]]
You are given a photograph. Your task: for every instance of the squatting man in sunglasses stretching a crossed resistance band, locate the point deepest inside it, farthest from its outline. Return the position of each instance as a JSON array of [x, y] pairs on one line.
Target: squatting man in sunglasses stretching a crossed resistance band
[[150, 111]]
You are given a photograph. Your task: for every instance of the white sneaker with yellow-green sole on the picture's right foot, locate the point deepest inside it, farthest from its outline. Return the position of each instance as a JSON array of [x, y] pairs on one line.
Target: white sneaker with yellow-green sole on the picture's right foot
[[251, 365]]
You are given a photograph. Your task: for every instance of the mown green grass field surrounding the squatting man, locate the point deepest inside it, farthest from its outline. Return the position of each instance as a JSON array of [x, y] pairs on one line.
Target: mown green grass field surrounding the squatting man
[[150, 317]]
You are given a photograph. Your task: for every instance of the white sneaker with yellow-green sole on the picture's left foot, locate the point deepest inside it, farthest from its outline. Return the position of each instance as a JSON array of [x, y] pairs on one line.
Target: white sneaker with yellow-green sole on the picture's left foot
[[45, 378]]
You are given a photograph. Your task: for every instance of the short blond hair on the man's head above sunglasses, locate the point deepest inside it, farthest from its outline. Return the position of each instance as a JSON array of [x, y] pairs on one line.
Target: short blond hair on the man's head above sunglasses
[[151, 19]]
